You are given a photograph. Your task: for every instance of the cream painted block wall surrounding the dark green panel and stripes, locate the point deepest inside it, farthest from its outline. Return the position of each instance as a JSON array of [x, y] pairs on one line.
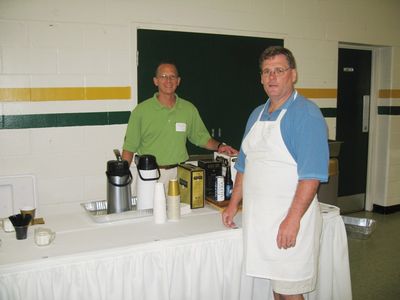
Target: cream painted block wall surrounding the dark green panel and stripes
[[92, 43]]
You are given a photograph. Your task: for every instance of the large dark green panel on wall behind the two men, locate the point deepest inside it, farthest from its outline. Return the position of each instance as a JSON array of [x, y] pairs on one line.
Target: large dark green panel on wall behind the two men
[[220, 75]]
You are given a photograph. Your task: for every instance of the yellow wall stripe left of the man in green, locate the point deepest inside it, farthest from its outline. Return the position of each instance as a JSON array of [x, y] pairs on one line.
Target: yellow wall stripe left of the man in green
[[65, 94]]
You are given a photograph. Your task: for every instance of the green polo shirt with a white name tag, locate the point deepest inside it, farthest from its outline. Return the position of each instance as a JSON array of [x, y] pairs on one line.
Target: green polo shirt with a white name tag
[[161, 131]]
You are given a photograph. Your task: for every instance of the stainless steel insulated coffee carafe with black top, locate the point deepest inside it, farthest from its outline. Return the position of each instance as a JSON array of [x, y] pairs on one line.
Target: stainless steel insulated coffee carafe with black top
[[119, 179]]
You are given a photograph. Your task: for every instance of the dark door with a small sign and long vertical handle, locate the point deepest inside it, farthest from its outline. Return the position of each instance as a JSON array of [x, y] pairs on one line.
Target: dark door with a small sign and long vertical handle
[[352, 124]]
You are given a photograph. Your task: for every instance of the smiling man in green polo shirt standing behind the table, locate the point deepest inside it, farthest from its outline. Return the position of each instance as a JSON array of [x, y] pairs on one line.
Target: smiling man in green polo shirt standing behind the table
[[161, 125]]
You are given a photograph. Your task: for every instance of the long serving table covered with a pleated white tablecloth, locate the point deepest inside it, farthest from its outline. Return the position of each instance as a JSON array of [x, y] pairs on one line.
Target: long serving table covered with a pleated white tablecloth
[[195, 258]]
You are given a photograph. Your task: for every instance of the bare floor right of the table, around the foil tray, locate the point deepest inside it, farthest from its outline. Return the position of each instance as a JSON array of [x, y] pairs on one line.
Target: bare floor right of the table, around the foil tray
[[375, 262]]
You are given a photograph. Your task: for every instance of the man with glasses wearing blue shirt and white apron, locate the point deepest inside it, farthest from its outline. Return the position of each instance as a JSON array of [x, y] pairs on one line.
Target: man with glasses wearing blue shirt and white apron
[[283, 157]]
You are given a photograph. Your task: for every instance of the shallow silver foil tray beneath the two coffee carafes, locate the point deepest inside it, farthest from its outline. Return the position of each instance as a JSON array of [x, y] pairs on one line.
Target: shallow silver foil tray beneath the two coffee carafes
[[97, 211]]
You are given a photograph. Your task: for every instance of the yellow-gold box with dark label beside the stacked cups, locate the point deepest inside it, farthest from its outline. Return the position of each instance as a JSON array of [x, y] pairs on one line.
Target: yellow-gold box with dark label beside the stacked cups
[[191, 185]]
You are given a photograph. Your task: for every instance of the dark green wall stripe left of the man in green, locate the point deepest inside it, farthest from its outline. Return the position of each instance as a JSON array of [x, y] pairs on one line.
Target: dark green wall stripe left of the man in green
[[63, 120]]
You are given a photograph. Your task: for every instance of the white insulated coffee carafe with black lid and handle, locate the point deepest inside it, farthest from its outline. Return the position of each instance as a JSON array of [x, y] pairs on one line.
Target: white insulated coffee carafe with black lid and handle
[[148, 174]]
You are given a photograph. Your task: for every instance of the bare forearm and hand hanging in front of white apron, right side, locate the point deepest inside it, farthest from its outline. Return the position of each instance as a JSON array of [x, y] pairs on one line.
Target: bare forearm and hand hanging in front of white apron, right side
[[289, 228]]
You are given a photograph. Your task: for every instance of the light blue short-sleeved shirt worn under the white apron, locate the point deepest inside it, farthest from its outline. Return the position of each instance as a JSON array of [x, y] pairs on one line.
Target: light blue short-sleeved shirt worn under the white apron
[[304, 132]]
